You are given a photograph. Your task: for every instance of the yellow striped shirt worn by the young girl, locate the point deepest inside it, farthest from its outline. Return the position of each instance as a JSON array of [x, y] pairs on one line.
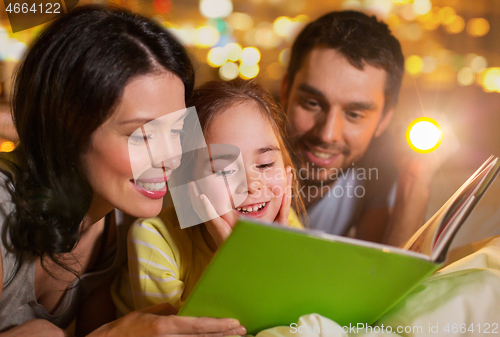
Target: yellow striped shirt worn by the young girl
[[165, 261]]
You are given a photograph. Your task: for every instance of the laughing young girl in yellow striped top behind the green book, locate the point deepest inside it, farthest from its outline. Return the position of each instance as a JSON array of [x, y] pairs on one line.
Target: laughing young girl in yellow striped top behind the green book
[[165, 261]]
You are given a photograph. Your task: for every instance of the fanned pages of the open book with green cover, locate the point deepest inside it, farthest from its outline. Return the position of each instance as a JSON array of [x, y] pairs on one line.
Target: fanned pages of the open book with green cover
[[438, 232]]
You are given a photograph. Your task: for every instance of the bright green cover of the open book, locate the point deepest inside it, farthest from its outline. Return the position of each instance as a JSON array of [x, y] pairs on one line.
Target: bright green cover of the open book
[[266, 276]]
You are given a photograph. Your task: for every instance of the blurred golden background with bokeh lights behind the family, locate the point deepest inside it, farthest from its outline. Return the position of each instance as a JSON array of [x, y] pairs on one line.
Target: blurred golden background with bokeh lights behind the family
[[451, 48]]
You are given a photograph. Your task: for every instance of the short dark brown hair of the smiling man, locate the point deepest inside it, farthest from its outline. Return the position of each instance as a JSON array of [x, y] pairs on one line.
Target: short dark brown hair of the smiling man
[[361, 39]]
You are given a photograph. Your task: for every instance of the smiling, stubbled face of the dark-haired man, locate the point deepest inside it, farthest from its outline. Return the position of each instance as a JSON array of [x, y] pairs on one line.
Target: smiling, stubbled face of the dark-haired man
[[335, 110]]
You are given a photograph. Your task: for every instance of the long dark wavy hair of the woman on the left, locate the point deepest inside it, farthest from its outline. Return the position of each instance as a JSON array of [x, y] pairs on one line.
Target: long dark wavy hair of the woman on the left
[[67, 86]]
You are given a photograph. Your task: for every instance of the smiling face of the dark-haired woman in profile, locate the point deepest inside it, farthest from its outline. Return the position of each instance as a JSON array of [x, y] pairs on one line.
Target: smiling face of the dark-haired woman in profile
[[134, 151]]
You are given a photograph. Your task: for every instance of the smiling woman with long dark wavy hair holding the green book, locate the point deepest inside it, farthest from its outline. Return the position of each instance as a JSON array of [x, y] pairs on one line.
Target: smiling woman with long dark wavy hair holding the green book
[[90, 80]]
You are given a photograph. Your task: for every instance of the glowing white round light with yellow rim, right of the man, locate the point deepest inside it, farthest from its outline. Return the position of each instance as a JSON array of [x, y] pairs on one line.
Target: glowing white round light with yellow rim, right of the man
[[424, 135]]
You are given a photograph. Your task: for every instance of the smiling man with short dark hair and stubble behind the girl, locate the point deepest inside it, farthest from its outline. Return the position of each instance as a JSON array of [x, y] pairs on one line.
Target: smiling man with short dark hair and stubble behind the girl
[[340, 90]]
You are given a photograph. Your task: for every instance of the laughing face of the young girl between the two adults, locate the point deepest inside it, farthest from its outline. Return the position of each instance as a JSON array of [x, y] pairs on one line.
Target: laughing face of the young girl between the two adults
[[245, 127]]
